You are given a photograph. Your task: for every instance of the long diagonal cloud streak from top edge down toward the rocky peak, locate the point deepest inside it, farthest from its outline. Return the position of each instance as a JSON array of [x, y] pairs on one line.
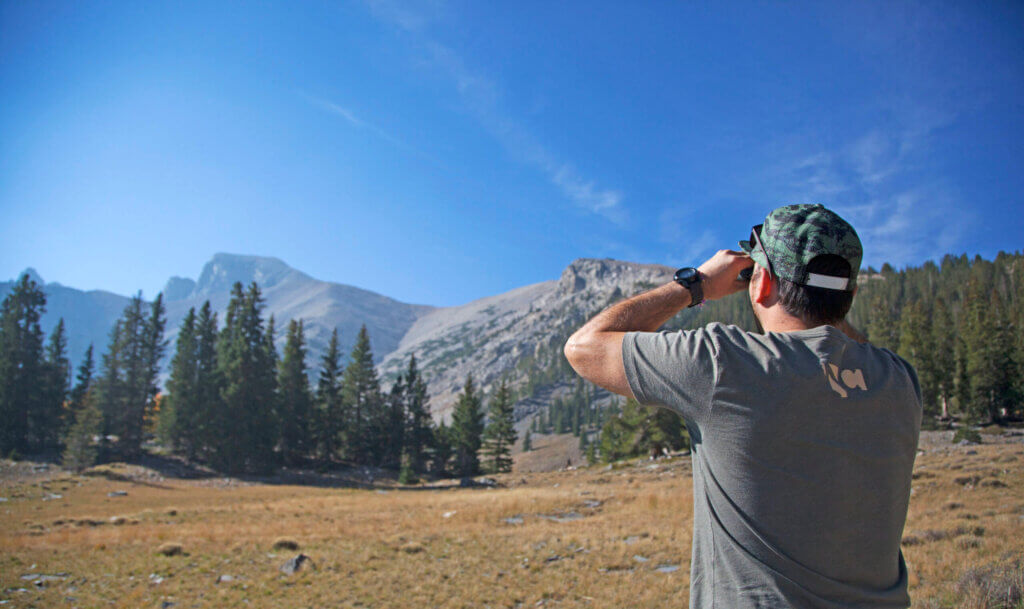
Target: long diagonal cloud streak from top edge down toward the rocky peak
[[482, 97]]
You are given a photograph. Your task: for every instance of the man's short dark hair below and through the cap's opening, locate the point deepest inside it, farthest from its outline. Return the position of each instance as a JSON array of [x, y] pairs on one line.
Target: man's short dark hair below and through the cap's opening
[[820, 307]]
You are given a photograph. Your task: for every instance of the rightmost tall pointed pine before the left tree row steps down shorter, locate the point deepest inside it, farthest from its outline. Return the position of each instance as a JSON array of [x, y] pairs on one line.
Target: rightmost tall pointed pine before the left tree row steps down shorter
[[361, 393]]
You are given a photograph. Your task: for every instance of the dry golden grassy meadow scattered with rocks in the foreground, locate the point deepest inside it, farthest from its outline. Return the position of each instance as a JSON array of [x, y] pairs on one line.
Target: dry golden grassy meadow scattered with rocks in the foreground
[[586, 538]]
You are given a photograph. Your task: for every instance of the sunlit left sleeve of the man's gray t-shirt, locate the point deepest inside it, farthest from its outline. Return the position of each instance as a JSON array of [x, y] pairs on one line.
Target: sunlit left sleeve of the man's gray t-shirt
[[676, 370]]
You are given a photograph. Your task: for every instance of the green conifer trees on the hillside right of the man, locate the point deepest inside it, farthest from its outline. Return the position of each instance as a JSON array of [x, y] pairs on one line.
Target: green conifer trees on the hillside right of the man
[[961, 324]]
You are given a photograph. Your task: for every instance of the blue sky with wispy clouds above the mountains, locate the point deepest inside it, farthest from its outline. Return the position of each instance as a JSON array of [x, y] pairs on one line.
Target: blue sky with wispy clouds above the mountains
[[440, 152]]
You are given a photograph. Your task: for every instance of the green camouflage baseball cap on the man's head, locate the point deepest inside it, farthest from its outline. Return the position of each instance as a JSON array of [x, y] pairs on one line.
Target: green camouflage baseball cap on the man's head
[[795, 235]]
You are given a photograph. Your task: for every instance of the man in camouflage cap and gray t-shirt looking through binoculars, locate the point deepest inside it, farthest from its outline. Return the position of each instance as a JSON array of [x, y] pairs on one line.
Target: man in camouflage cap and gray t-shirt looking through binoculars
[[804, 438]]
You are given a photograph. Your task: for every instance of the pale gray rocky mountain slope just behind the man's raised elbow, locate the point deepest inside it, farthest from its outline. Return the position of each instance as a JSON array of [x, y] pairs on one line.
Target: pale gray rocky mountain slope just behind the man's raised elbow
[[508, 335]]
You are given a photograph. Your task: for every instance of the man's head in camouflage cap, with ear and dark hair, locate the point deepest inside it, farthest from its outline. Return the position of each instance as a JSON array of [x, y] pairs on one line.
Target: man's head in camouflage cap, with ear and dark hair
[[807, 258]]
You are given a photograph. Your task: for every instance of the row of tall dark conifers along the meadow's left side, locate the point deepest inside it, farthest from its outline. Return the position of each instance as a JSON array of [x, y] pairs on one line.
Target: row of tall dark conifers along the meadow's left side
[[232, 401]]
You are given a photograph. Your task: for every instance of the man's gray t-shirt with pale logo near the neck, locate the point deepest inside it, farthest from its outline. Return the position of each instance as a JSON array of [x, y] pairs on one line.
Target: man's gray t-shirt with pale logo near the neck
[[803, 449]]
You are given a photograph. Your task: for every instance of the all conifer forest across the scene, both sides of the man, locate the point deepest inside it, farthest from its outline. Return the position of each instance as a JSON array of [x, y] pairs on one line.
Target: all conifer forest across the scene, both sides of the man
[[233, 403]]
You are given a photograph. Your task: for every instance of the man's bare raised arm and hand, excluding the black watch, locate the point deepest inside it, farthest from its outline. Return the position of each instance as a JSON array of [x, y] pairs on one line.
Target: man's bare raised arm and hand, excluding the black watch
[[595, 352]]
